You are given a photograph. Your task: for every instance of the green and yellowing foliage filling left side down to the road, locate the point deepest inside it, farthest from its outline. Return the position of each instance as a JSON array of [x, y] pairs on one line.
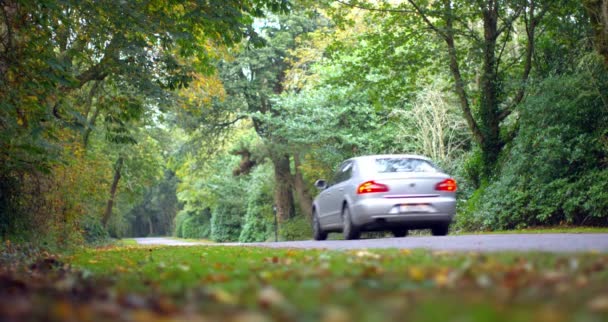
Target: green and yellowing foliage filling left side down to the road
[[81, 77]]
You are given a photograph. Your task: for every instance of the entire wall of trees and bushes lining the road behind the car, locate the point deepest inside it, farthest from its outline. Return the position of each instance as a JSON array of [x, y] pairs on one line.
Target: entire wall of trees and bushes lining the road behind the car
[[152, 119]]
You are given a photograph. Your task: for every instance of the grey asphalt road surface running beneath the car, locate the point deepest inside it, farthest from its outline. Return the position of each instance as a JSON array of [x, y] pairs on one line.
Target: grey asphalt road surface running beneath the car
[[476, 243]]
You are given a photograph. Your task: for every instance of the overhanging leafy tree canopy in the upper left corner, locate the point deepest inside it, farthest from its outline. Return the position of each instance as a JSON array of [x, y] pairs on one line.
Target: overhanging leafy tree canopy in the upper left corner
[[65, 66]]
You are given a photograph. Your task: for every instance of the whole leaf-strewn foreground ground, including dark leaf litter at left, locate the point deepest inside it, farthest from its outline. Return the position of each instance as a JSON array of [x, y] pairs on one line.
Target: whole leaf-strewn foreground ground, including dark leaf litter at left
[[202, 283]]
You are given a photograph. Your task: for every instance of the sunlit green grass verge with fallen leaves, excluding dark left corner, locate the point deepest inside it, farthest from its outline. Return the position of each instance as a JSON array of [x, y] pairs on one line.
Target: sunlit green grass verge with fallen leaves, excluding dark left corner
[[379, 285]]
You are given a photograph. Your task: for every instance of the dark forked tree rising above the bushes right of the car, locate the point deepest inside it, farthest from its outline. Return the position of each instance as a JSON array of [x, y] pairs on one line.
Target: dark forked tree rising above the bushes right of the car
[[479, 35]]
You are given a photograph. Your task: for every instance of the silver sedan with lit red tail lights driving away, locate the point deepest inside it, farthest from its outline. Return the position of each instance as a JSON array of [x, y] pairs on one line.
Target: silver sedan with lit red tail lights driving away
[[394, 192]]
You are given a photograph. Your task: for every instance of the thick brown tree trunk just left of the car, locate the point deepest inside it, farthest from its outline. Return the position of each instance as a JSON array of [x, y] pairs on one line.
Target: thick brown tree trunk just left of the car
[[283, 194]]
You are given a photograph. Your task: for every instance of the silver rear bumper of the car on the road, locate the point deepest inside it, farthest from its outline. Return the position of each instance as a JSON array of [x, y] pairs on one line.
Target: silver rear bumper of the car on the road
[[383, 212]]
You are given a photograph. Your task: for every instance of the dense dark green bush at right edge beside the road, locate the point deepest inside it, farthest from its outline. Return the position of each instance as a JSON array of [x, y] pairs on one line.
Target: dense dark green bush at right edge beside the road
[[564, 126]]
